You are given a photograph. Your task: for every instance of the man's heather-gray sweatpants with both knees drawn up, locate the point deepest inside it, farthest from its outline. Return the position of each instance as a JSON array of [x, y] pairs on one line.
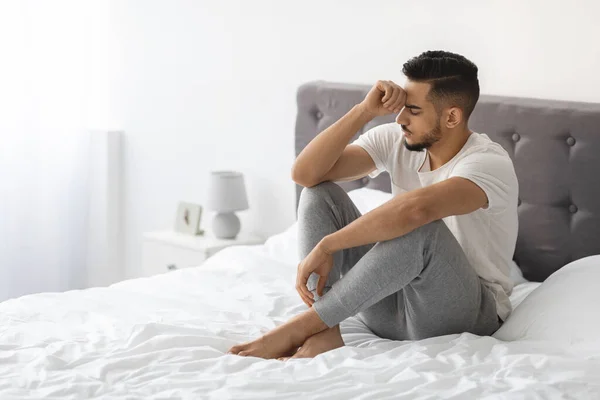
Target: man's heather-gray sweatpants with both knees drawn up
[[411, 287]]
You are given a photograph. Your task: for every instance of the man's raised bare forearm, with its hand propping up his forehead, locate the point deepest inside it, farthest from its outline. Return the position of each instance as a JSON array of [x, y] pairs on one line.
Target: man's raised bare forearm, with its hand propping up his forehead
[[321, 154]]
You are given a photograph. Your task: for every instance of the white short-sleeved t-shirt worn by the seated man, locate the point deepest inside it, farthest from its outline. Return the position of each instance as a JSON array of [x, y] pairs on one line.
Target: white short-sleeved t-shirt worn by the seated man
[[488, 235]]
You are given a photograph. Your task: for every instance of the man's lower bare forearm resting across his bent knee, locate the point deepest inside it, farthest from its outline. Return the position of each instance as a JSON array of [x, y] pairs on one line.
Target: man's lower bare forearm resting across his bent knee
[[395, 218]]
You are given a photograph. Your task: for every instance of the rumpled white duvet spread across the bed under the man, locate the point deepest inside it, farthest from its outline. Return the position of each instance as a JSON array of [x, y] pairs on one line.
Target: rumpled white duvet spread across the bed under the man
[[165, 337]]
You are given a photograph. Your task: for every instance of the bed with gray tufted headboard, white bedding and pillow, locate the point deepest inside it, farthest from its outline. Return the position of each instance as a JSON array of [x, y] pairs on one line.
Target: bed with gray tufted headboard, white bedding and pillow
[[166, 336]]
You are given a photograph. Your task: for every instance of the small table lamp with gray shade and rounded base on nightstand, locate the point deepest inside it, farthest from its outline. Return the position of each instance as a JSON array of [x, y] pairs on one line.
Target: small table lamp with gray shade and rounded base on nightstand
[[226, 194]]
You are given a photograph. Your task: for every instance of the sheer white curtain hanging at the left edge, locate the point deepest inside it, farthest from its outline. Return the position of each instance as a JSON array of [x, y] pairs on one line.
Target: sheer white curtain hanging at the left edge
[[44, 145]]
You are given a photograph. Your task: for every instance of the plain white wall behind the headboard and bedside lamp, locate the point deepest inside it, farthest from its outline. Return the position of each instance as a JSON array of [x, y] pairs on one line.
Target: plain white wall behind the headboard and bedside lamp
[[211, 85]]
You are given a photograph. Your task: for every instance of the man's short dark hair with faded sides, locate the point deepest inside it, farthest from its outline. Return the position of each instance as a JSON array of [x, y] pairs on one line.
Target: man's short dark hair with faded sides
[[453, 79]]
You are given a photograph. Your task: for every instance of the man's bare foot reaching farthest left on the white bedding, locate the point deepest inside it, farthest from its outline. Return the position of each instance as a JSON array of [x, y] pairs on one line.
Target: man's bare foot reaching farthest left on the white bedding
[[278, 342]]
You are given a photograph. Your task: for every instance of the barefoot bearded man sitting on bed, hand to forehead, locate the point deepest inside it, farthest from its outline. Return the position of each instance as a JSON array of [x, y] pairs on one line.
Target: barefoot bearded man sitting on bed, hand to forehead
[[433, 260]]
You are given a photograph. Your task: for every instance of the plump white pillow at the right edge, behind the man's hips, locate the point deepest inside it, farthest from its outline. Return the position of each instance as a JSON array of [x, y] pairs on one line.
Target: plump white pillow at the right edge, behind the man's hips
[[564, 308]]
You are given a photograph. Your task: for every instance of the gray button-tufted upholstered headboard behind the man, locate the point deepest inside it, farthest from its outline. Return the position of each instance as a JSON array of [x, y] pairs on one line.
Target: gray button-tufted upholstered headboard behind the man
[[555, 147]]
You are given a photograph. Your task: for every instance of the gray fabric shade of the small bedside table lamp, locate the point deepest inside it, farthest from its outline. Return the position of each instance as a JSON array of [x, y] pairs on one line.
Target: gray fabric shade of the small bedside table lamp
[[226, 192]]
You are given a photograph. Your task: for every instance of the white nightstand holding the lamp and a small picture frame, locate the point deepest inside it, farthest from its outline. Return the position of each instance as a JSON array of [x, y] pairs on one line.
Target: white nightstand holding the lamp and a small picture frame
[[168, 250]]
